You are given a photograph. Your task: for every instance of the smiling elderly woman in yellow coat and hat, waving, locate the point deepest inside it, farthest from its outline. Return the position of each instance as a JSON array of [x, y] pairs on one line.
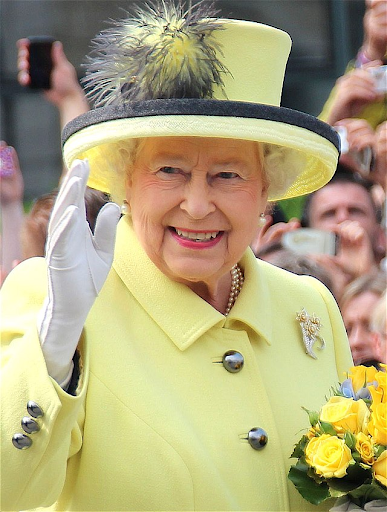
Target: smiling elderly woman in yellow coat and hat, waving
[[172, 375]]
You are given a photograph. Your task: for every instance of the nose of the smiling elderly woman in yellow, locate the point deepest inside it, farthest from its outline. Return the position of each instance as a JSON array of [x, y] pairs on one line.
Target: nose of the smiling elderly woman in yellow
[[197, 201]]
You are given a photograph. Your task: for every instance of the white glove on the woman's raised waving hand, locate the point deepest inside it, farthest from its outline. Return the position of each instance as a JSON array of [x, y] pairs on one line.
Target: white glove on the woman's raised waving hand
[[78, 264]]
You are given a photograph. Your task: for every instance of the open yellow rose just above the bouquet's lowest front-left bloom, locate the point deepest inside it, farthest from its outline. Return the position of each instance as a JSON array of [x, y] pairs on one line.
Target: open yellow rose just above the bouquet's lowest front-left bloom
[[345, 414]]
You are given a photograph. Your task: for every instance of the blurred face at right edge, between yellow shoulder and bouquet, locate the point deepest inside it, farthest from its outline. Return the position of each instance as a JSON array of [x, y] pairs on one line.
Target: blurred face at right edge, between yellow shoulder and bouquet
[[356, 315]]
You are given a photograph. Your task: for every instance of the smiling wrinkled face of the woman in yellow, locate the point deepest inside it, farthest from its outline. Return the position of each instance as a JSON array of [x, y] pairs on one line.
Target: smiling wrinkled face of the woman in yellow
[[195, 203]]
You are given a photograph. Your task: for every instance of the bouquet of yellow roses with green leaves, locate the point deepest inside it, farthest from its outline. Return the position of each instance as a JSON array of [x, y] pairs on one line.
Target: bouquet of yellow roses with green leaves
[[344, 452]]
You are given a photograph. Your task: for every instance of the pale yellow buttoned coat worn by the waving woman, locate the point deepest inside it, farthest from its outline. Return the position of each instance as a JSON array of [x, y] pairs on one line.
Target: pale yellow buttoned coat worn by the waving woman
[[158, 423]]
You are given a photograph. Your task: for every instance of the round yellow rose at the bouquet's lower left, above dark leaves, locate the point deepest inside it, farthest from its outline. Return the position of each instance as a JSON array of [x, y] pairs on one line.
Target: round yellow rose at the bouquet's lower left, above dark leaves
[[329, 455]]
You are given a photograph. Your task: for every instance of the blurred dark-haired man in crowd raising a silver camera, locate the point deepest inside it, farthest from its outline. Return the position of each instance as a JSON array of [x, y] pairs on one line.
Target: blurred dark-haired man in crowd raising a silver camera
[[344, 206]]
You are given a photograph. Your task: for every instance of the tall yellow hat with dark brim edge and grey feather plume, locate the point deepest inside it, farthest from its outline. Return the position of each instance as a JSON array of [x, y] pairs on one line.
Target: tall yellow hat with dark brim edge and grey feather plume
[[173, 73]]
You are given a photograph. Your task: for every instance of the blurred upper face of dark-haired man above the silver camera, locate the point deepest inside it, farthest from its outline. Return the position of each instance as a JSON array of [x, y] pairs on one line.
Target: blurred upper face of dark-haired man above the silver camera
[[338, 202]]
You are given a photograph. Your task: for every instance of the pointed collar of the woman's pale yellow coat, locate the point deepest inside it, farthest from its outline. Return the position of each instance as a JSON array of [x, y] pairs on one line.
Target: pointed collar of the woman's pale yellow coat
[[178, 311]]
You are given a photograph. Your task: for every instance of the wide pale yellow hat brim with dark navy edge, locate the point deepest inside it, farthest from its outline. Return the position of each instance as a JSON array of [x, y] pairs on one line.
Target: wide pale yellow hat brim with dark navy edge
[[314, 140]]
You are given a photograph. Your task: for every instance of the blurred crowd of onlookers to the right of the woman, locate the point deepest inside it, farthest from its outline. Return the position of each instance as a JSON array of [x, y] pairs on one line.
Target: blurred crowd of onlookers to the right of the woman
[[353, 204]]
